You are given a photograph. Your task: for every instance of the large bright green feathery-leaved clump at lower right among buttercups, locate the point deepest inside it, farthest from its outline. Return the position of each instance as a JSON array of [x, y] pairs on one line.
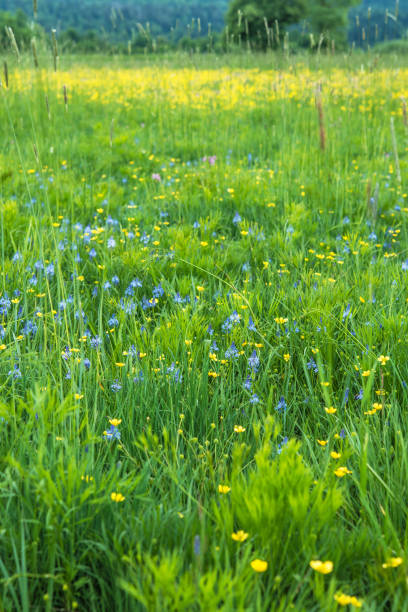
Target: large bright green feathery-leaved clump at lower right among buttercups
[[277, 495]]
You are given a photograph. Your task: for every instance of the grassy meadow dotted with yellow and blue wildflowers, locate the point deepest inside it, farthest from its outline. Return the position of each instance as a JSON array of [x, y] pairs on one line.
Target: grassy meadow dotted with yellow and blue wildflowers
[[203, 334]]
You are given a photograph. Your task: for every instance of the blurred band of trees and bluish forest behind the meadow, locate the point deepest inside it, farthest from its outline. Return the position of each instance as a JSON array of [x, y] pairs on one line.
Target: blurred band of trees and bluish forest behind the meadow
[[87, 26]]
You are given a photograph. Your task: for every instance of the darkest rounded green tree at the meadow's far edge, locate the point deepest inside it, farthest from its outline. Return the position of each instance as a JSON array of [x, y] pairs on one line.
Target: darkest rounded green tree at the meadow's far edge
[[262, 22]]
